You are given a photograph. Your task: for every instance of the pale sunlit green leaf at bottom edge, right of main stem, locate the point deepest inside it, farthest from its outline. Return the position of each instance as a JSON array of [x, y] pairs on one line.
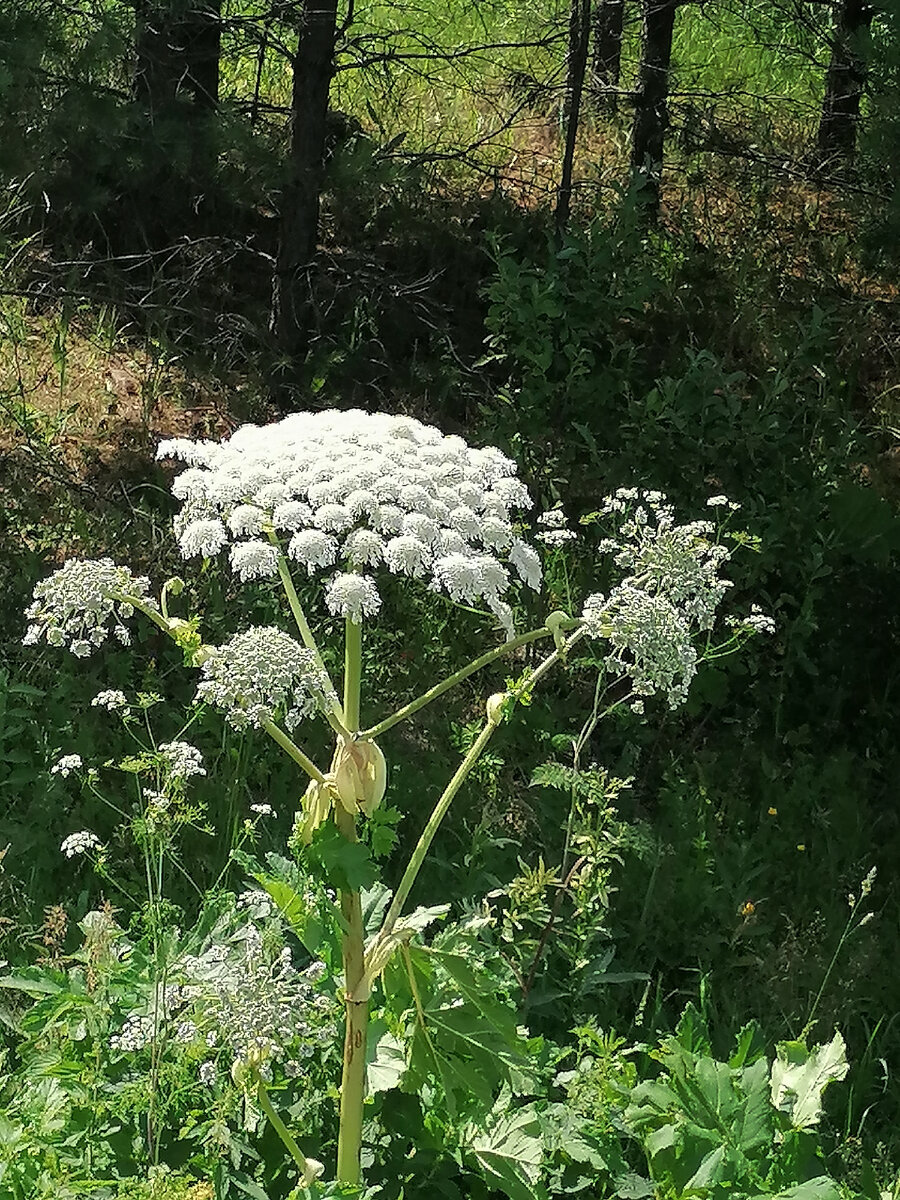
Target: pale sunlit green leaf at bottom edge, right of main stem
[[509, 1150]]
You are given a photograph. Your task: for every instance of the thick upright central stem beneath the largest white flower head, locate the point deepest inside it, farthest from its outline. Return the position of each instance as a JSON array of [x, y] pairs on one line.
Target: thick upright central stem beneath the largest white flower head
[[353, 1078]]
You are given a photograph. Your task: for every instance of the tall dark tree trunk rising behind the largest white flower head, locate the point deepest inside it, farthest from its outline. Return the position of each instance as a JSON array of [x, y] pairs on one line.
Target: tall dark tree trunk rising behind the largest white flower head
[[298, 237]]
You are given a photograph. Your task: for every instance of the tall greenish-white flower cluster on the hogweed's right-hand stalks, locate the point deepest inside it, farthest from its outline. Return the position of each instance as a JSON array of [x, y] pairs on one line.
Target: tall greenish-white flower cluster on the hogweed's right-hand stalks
[[673, 589]]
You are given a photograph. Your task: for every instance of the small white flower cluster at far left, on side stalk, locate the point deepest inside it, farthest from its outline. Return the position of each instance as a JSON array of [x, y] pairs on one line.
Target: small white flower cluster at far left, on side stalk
[[80, 604]]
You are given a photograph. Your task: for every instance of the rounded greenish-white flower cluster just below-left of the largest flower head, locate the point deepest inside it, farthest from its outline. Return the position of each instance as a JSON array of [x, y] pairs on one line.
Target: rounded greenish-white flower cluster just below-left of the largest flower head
[[261, 674]]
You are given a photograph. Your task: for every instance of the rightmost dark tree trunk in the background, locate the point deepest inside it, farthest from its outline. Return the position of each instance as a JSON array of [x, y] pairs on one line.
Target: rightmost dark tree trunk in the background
[[844, 83]]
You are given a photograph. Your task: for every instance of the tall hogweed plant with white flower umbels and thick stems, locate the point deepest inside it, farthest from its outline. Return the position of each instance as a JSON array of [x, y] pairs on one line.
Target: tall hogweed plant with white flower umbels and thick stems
[[347, 497]]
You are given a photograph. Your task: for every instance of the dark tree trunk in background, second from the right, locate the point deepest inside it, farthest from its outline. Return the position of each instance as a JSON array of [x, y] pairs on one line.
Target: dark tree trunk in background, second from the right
[[652, 103]]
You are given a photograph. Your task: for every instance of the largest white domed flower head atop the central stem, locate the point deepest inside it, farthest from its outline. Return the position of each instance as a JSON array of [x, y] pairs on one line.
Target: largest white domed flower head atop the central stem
[[355, 490]]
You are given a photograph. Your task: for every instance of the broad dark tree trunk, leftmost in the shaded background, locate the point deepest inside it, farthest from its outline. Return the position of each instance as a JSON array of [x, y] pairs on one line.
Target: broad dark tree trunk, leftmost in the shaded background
[[178, 46]]
